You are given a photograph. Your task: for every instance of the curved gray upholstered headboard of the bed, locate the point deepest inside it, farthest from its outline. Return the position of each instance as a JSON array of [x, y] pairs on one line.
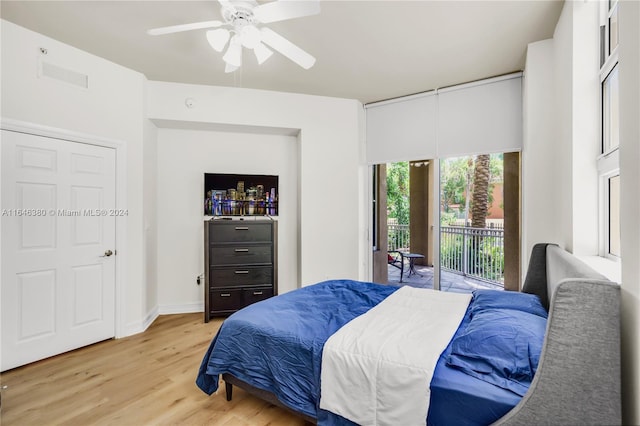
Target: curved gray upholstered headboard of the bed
[[578, 377]]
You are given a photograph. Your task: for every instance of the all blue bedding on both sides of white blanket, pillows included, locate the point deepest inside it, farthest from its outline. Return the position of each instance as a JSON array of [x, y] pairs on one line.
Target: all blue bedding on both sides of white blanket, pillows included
[[276, 345]]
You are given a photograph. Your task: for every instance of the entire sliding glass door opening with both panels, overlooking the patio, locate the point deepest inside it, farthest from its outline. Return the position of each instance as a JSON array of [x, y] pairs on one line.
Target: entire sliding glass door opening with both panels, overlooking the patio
[[451, 224]]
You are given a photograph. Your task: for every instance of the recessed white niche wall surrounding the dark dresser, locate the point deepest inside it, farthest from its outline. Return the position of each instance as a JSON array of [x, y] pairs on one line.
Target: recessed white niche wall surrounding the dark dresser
[[184, 156]]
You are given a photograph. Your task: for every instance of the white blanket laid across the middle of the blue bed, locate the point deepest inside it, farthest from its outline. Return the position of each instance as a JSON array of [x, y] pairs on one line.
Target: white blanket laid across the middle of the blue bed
[[376, 370]]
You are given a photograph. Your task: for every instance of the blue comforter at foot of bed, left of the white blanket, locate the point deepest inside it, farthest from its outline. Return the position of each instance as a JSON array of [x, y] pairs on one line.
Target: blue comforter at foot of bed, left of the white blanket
[[283, 357]]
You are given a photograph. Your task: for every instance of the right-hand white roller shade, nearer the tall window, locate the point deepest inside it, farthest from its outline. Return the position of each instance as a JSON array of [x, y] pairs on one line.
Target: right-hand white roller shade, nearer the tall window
[[480, 118]]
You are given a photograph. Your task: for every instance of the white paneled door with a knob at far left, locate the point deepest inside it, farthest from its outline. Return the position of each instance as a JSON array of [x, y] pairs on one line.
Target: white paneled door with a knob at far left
[[58, 287]]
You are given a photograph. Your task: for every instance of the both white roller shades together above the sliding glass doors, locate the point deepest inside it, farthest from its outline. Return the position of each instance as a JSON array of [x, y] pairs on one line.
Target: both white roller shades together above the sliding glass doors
[[476, 118]]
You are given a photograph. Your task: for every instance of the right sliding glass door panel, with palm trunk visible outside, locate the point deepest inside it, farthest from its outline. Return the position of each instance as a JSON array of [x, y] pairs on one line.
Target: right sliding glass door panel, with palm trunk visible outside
[[479, 219]]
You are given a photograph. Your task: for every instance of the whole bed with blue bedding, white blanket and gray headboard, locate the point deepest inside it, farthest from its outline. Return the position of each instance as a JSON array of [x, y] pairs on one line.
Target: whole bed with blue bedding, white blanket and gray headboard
[[274, 349]]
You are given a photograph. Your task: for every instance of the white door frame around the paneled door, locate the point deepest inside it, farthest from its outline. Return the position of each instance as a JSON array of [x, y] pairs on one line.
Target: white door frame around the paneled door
[[121, 199]]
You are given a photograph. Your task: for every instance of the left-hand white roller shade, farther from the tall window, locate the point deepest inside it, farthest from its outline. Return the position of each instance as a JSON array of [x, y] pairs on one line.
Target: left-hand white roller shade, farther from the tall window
[[402, 129]]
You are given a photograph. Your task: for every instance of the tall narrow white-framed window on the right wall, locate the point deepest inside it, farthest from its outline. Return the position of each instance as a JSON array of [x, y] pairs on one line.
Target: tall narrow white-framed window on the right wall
[[608, 160]]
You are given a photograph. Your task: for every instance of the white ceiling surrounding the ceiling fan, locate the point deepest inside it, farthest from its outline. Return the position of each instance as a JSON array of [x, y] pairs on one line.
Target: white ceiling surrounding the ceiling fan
[[368, 50]]
